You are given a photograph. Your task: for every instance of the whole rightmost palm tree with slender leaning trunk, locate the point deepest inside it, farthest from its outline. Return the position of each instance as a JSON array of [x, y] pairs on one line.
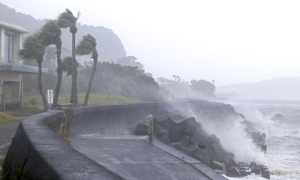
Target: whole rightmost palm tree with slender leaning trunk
[[86, 46]]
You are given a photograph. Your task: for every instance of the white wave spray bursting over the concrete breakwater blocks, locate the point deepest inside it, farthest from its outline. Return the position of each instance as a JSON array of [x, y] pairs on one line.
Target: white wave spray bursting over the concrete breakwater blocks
[[233, 136]]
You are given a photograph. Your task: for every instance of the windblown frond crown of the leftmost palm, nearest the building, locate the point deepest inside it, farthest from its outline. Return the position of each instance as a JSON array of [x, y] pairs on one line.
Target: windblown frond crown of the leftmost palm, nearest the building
[[32, 48]]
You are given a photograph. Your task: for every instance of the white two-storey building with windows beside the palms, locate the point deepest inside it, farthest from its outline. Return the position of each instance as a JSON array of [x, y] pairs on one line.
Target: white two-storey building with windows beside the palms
[[11, 66]]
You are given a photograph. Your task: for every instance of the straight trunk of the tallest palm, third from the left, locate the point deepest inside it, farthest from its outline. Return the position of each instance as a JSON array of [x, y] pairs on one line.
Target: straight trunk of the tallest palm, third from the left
[[74, 98]]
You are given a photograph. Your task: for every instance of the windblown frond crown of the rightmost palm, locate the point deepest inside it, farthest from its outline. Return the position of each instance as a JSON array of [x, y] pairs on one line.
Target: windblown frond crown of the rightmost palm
[[86, 45]]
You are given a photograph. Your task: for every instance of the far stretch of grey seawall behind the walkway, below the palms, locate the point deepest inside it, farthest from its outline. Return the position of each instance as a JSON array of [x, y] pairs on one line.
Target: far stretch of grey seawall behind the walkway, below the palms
[[116, 119]]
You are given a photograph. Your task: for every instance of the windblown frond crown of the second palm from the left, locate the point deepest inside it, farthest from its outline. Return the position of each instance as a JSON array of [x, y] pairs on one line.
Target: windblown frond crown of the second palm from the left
[[50, 32]]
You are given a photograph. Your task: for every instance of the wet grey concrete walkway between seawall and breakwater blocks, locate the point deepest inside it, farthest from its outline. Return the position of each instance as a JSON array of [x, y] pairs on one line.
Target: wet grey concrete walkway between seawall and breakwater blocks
[[135, 158]]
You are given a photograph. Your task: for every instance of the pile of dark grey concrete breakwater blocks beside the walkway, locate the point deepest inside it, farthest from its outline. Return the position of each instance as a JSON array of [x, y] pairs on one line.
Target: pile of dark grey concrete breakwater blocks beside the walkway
[[185, 134]]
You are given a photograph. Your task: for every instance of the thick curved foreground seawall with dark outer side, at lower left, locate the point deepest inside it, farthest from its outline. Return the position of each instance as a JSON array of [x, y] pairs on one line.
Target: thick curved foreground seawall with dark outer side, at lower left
[[38, 153]]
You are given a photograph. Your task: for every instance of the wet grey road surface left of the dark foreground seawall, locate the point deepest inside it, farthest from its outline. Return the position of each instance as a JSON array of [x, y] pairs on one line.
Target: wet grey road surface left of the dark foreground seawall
[[7, 132]]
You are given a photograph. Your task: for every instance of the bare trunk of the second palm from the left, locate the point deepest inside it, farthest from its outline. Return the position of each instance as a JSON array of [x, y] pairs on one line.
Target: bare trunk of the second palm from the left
[[59, 73]]
